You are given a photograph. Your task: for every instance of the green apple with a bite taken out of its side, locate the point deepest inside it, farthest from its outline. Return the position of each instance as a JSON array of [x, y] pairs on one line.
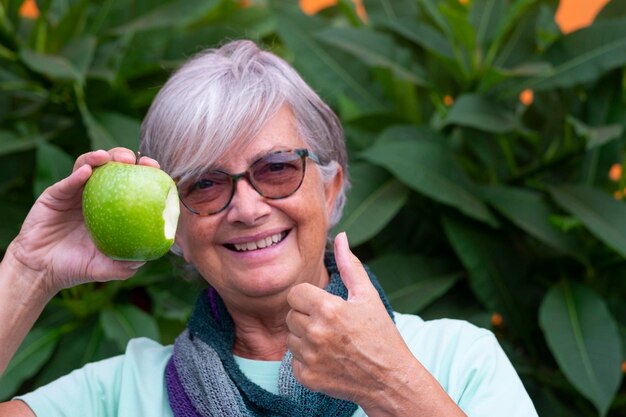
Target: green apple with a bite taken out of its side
[[131, 211]]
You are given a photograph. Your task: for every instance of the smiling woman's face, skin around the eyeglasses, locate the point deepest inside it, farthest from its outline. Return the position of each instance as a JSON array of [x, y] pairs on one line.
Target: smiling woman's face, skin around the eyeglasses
[[299, 223]]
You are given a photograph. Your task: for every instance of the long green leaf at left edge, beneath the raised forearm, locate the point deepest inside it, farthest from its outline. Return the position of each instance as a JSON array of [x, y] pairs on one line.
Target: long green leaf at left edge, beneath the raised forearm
[[33, 353]]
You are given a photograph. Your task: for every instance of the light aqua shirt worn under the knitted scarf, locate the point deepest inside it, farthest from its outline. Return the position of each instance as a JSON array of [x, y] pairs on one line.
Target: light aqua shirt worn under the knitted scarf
[[467, 361]]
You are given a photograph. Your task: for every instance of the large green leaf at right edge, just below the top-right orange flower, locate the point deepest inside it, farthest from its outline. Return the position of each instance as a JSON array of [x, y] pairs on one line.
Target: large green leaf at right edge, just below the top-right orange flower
[[583, 56]]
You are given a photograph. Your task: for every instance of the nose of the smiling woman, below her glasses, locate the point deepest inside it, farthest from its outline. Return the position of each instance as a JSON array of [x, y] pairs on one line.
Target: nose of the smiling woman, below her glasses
[[247, 205]]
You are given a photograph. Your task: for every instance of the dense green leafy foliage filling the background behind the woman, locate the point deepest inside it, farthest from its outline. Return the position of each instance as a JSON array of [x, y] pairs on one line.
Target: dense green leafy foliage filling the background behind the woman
[[465, 201]]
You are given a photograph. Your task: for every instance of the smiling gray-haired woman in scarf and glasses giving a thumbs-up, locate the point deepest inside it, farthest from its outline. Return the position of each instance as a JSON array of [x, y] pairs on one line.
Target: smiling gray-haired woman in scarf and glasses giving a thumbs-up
[[287, 327]]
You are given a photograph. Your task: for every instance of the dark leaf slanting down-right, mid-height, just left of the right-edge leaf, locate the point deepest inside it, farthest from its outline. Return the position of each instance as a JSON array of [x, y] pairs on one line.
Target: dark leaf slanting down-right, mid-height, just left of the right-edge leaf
[[529, 211]]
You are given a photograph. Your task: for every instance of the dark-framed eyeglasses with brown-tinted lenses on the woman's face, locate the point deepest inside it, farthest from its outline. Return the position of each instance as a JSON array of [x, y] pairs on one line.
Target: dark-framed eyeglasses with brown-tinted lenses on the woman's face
[[274, 176]]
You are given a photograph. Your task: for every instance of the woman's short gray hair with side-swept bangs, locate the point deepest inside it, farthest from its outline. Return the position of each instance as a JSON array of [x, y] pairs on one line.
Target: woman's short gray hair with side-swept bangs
[[221, 98]]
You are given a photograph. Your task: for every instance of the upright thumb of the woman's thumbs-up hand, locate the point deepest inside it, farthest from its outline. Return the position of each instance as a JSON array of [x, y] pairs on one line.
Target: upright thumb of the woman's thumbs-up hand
[[351, 269]]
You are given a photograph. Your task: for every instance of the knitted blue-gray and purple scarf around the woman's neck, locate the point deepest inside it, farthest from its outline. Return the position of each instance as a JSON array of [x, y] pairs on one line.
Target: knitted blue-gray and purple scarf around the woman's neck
[[204, 380]]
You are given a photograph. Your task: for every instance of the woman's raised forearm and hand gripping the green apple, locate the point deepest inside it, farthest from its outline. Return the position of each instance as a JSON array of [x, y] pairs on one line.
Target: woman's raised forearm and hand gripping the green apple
[[54, 251]]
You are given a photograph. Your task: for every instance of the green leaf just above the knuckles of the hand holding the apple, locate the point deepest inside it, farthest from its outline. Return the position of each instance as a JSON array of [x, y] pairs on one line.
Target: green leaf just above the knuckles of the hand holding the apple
[[53, 164]]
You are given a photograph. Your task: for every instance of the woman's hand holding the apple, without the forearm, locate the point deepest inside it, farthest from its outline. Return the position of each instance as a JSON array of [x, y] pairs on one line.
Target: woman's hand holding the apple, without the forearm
[[53, 243]]
